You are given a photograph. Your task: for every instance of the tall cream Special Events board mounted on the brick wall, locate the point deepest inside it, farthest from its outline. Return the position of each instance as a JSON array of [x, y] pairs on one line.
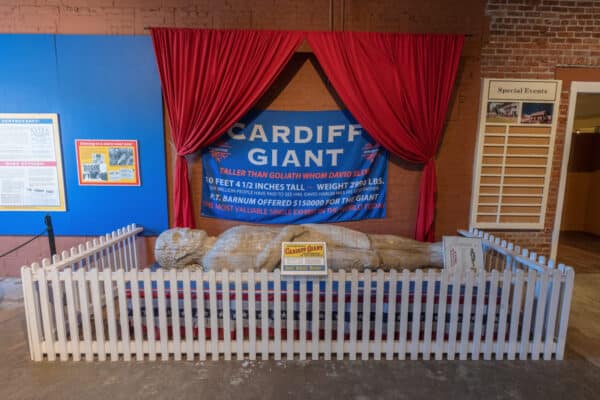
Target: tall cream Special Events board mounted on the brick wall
[[517, 129]]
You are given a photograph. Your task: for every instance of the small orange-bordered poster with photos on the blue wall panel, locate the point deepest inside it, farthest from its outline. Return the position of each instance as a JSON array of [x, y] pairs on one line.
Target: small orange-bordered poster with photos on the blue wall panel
[[108, 162]]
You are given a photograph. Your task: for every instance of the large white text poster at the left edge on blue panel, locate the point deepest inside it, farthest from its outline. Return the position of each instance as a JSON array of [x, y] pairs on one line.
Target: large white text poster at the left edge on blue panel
[[31, 177]]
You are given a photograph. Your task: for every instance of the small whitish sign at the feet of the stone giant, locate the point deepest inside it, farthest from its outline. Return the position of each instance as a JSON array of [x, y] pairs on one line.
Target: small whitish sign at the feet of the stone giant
[[461, 253]]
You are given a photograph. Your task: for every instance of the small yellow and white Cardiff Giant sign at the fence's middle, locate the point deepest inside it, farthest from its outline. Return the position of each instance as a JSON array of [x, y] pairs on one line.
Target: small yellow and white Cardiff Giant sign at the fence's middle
[[304, 258]]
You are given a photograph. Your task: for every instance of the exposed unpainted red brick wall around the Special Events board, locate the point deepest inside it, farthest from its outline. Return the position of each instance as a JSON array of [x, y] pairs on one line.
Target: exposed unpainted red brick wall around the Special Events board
[[543, 39]]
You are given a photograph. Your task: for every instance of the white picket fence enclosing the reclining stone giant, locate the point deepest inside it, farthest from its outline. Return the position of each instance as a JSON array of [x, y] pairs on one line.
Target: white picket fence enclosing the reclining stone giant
[[94, 303]]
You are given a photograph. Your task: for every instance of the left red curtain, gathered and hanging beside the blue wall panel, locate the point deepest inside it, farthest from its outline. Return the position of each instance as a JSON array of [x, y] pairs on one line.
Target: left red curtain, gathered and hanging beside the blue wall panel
[[210, 79]]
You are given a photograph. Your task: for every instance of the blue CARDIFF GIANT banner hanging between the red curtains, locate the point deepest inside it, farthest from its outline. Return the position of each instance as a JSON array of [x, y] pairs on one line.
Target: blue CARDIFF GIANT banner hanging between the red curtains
[[290, 167]]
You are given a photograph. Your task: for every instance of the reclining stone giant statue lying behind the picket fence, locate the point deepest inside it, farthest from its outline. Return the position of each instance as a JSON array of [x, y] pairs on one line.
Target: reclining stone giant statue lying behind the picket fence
[[256, 247]]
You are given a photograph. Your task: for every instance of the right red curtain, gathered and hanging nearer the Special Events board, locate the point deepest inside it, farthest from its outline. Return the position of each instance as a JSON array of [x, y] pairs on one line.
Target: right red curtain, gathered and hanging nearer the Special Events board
[[398, 87]]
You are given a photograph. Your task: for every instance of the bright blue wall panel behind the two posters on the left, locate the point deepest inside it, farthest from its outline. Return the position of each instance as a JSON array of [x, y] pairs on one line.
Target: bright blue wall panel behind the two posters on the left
[[102, 87]]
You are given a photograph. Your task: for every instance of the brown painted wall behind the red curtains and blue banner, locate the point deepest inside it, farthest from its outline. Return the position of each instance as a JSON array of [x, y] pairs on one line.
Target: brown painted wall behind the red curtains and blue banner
[[301, 87]]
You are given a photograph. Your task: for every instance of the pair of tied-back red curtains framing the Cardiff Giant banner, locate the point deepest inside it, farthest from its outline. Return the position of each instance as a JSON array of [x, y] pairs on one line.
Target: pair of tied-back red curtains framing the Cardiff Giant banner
[[397, 86]]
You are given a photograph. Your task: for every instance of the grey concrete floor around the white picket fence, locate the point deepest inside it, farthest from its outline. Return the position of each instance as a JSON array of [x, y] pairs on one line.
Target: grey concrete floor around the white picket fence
[[577, 377]]
